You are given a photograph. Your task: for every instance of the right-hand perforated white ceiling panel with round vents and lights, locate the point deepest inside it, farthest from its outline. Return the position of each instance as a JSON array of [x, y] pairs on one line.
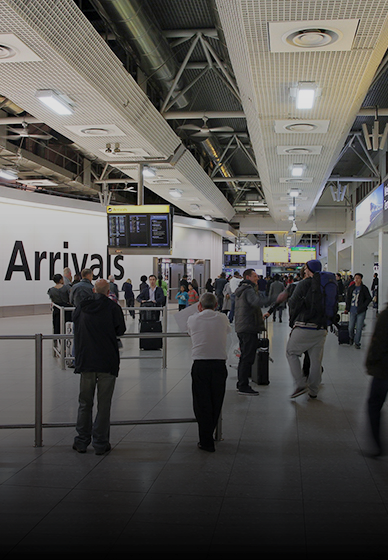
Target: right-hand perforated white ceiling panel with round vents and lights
[[267, 65]]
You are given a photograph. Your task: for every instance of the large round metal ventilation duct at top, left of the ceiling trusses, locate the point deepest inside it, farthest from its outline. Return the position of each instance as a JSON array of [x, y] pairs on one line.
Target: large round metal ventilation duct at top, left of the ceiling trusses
[[138, 33]]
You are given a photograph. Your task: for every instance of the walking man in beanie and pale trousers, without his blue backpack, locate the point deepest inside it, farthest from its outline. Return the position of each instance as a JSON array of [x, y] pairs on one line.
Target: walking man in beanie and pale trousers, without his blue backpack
[[307, 335]]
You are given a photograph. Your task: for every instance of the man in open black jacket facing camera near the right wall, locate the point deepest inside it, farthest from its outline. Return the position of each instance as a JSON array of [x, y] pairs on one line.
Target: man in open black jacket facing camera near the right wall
[[357, 300]]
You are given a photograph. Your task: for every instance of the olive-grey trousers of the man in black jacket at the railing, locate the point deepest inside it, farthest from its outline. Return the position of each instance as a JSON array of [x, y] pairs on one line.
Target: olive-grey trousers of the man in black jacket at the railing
[[97, 431]]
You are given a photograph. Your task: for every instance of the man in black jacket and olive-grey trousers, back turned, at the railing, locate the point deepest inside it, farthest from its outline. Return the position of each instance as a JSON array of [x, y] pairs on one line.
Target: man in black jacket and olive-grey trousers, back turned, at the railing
[[98, 321]]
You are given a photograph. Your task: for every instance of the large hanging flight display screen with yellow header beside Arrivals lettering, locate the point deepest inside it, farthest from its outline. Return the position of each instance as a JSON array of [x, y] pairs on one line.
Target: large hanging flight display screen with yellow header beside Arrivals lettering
[[136, 227]]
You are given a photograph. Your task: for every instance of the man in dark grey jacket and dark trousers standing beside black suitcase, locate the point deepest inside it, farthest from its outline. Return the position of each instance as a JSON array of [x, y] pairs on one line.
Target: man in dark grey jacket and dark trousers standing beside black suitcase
[[248, 323]]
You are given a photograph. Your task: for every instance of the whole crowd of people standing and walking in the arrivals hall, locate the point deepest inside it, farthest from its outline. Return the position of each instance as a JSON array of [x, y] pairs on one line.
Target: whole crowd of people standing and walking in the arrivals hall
[[98, 322]]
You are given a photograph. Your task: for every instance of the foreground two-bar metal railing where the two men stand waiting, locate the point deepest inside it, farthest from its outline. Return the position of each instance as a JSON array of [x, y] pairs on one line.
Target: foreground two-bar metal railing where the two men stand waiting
[[38, 424]]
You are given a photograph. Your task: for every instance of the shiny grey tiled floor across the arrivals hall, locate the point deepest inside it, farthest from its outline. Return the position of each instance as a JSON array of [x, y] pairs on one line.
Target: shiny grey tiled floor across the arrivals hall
[[289, 475]]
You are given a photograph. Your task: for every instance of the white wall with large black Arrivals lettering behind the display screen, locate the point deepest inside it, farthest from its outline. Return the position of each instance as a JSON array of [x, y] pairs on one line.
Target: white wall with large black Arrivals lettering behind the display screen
[[42, 225]]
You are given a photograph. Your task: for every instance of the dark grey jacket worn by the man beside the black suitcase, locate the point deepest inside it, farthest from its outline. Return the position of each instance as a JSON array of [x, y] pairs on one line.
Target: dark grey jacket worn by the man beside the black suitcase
[[248, 317]]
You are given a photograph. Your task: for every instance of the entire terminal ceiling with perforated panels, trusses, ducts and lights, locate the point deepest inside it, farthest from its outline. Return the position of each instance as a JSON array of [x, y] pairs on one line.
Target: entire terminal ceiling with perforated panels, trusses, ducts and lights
[[203, 94]]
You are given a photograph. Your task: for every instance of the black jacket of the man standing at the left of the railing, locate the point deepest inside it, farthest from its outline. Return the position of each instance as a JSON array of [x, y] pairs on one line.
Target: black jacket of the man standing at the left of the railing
[[98, 321]]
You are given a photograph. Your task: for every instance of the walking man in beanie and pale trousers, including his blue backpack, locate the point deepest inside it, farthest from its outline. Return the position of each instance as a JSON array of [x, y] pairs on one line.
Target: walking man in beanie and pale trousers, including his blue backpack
[[313, 307]]
